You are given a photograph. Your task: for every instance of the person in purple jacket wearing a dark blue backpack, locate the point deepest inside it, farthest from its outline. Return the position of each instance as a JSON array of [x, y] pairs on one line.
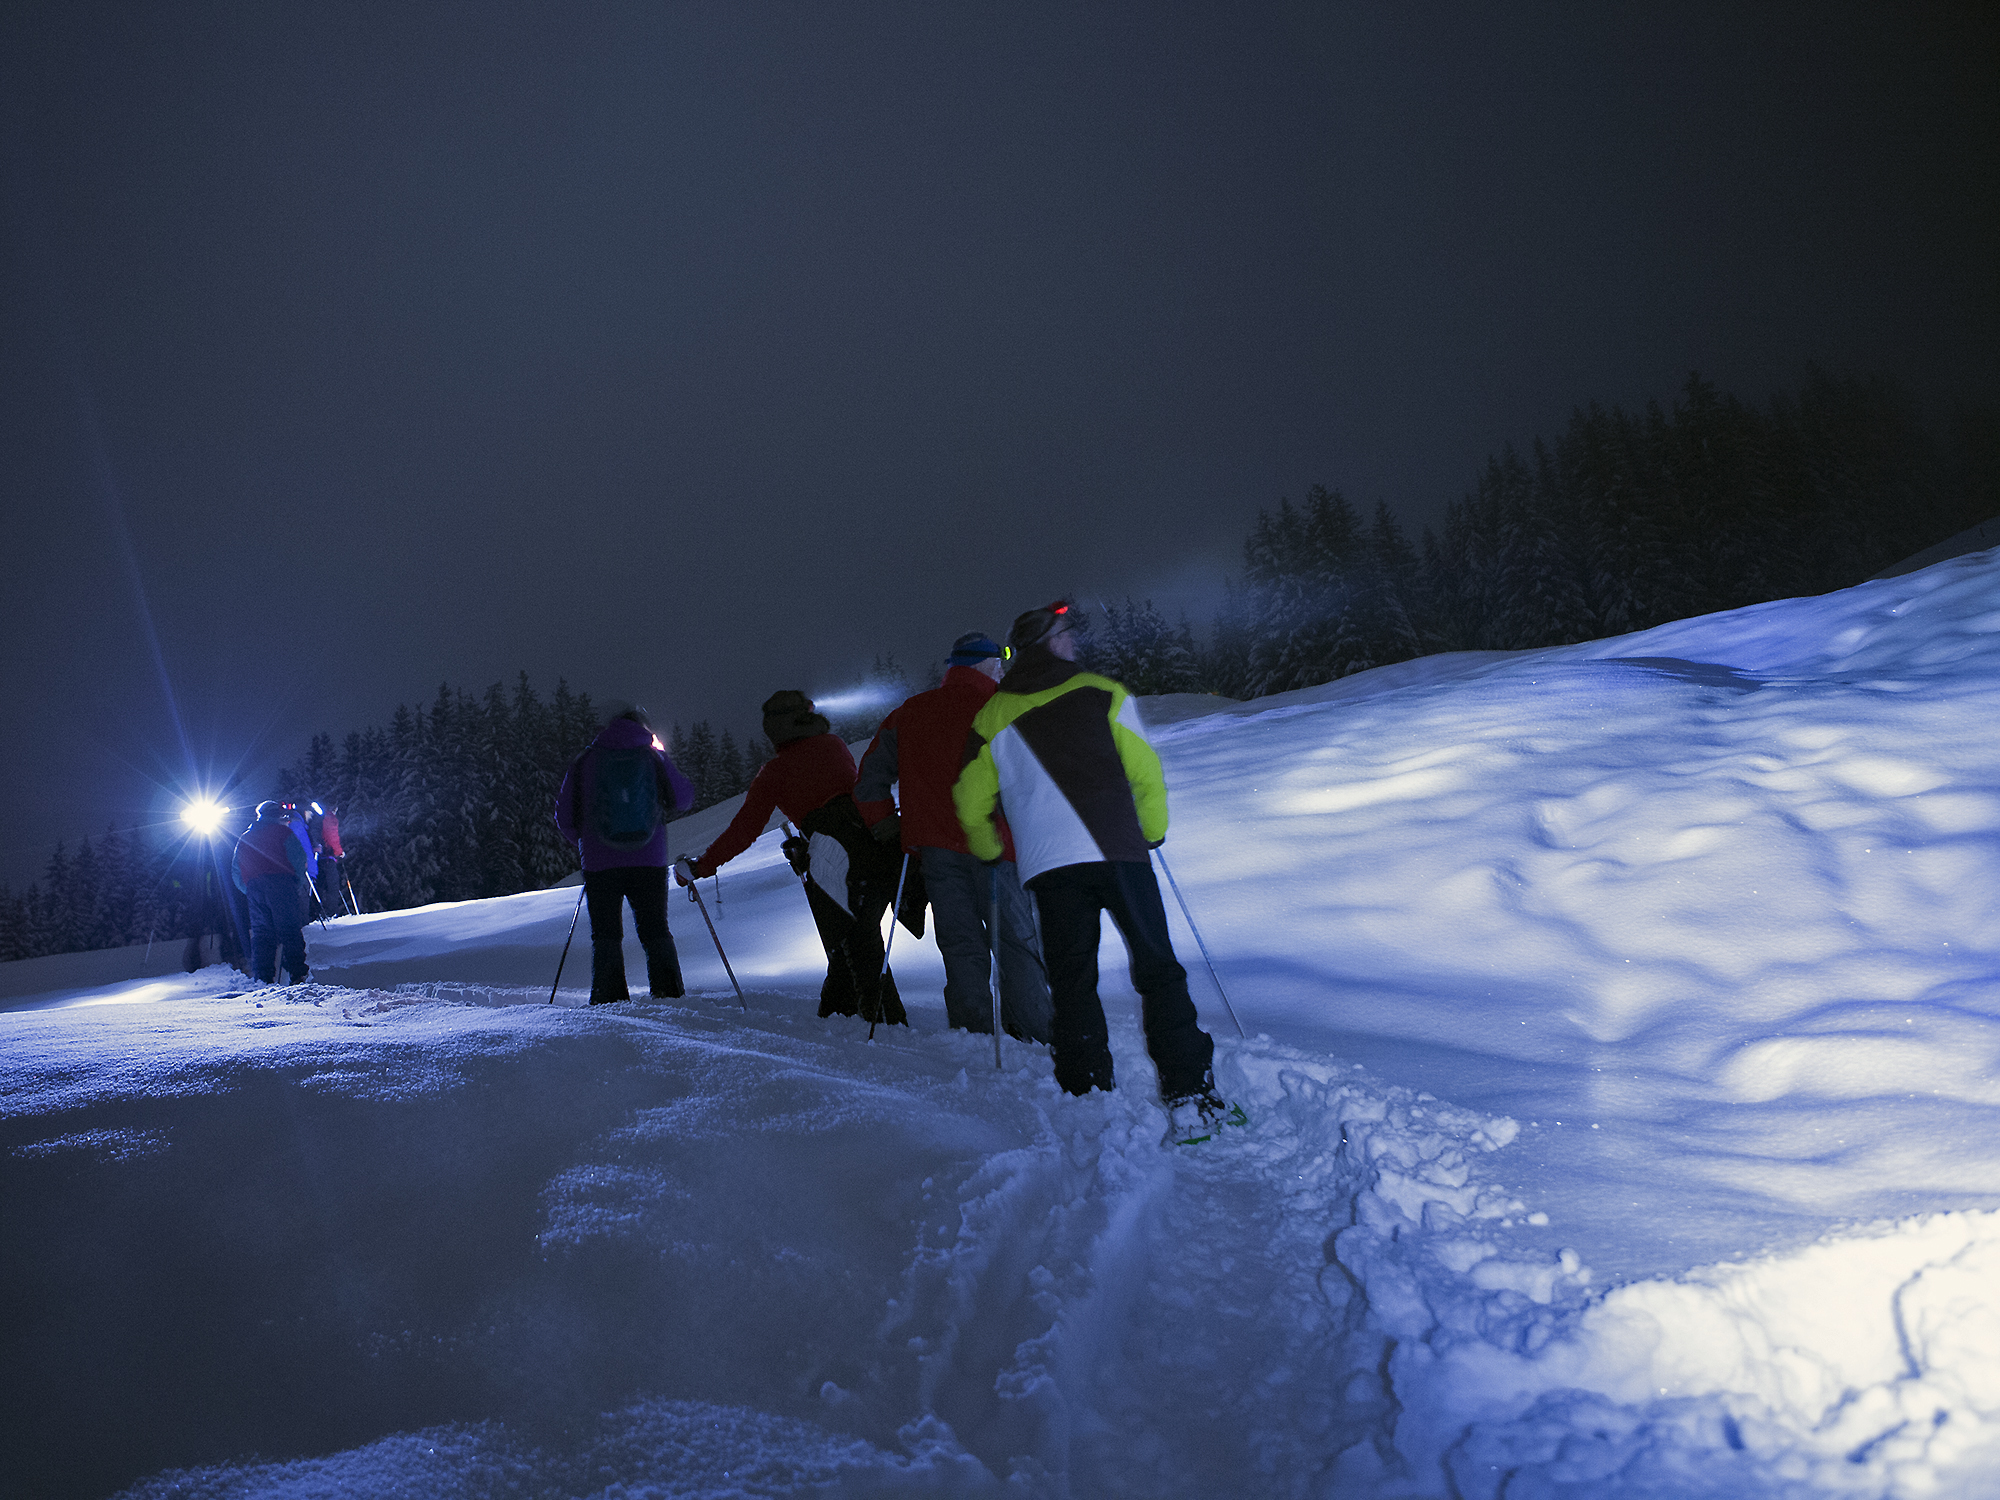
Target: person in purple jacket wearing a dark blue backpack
[[613, 807]]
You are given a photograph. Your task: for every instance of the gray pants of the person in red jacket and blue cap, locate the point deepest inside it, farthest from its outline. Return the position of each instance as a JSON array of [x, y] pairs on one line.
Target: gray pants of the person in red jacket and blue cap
[[961, 907]]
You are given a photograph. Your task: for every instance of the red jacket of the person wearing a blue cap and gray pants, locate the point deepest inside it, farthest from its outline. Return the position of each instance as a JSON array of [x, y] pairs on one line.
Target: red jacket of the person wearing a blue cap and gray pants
[[923, 747]]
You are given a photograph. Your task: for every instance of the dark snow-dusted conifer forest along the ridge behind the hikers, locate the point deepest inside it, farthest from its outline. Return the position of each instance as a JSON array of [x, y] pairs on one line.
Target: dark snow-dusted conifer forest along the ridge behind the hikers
[[1619, 523]]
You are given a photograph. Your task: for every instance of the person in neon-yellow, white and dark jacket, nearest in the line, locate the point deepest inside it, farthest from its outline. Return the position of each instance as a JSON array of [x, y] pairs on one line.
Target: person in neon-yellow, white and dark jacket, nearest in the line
[[1083, 789]]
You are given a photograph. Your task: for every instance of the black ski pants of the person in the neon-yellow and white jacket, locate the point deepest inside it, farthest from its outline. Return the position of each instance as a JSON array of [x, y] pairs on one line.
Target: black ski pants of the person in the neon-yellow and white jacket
[[1071, 901]]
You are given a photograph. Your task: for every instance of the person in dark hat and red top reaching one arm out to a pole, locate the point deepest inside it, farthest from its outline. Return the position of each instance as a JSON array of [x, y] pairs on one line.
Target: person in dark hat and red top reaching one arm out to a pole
[[851, 879]]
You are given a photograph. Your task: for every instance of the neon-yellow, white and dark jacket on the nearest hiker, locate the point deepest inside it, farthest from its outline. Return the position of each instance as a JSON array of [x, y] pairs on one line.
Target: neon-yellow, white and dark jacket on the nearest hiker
[[1063, 753]]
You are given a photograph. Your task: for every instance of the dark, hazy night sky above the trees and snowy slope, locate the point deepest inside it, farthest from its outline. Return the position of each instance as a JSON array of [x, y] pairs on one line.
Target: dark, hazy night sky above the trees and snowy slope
[[693, 351]]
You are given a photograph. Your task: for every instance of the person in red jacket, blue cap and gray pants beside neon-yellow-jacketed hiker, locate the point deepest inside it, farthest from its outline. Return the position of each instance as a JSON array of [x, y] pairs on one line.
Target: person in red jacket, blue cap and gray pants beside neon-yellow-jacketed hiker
[[921, 747]]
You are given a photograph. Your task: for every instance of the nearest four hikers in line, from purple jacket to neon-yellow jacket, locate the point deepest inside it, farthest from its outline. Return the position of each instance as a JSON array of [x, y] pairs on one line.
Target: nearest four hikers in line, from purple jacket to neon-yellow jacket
[[1019, 793]]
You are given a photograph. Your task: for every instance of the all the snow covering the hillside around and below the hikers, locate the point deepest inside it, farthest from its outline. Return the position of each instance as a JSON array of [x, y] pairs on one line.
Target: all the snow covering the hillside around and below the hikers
[[1623, 1097]]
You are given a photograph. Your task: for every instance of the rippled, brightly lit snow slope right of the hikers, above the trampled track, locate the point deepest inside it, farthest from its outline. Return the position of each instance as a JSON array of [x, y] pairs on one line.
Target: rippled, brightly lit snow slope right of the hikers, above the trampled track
[[1727, 915]]
